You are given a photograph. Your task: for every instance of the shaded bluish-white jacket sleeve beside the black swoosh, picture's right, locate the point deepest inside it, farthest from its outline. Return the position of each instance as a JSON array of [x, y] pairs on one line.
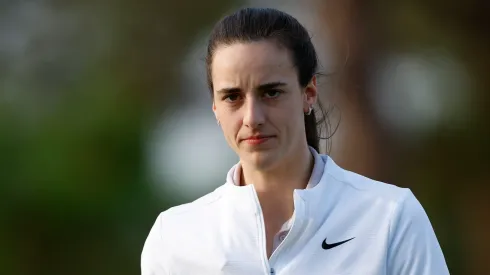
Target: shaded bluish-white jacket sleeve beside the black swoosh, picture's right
[[413, 246]]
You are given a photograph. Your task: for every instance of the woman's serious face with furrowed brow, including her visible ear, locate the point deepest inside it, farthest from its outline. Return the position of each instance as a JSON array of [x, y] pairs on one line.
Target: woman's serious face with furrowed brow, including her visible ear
[[259, 102]]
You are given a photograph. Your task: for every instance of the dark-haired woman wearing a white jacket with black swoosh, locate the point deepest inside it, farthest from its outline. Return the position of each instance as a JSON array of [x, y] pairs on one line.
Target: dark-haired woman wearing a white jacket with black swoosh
[[284, 209]]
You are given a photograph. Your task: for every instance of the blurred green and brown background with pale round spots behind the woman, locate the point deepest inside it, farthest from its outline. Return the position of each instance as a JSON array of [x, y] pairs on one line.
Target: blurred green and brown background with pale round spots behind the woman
[[105, 119]]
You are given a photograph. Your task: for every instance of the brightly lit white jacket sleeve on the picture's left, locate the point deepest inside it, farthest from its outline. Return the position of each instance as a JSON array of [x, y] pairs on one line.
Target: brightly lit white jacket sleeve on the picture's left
[[153, 254]]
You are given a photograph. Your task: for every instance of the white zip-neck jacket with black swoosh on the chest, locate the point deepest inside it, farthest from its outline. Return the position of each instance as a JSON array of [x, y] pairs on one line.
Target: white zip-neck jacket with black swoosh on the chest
[[386, 230]]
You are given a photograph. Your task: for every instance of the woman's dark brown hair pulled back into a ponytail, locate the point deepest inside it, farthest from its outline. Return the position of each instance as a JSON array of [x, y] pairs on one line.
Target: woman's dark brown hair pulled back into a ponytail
[[255, 24]]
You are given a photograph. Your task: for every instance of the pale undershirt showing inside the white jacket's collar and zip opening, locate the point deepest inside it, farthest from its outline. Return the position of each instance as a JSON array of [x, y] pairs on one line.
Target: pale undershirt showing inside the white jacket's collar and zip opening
[[315, 177]]
